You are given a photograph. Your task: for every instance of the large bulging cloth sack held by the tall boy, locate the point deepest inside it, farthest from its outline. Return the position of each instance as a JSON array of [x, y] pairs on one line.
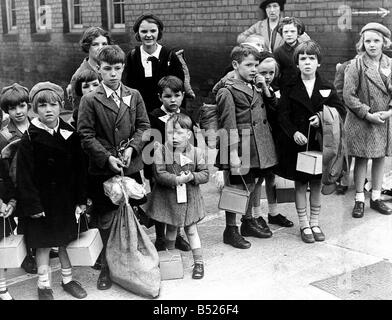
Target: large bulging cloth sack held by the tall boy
[[132, 258]]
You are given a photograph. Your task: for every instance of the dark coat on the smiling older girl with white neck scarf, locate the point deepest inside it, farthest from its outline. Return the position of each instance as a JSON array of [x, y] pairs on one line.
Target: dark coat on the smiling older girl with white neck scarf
[[133, 75]]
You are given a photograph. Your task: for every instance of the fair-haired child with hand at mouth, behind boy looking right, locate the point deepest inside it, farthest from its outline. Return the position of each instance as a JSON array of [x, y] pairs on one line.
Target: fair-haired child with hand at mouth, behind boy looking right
[[269, 70]]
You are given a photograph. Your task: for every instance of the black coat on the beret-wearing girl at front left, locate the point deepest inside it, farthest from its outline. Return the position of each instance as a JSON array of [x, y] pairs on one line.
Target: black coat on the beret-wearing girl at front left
[[51, 178]]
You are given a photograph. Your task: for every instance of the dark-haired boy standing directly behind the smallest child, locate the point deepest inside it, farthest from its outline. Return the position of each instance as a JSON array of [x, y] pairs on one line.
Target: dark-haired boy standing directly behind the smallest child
[[171, 94]]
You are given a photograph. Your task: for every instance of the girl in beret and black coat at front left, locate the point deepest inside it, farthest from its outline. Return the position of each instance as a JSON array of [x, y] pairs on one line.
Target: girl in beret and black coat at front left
[[51, 180]]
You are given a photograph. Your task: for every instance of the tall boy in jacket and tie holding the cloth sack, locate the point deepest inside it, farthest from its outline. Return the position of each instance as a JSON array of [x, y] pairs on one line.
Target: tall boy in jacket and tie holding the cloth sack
[[108, 116]]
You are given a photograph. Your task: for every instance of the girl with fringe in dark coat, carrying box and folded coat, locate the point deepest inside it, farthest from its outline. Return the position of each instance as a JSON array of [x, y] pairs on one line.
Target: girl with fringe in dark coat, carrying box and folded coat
[[300, 106]]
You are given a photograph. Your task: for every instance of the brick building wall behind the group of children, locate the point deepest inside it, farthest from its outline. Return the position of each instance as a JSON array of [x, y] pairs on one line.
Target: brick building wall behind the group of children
[[207, 30]]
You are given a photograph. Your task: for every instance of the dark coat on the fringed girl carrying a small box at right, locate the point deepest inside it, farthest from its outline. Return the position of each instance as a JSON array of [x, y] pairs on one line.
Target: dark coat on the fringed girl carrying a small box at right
[[294, 110]]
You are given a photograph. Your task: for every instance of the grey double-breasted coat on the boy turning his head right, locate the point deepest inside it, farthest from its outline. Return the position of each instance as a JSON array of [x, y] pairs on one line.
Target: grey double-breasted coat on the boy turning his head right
[[243, 117]]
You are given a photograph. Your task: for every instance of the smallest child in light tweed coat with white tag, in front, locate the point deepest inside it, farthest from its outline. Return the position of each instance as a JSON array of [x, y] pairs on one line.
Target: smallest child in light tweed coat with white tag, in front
[[176, 198]]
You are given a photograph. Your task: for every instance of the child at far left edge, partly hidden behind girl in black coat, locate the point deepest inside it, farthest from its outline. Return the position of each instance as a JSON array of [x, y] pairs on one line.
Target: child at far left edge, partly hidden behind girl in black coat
[[14, 101]]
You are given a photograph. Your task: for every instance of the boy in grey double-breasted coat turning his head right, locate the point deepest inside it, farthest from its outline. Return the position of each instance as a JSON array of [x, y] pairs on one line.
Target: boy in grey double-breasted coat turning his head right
[[250, 147]]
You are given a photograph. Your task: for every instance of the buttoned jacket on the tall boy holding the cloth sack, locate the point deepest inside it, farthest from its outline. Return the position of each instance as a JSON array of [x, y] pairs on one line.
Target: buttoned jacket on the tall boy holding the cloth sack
[[103, 125]]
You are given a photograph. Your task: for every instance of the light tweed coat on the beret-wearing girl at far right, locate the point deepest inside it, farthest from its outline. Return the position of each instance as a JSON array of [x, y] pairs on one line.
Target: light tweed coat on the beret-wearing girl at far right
[[367, 89]]
